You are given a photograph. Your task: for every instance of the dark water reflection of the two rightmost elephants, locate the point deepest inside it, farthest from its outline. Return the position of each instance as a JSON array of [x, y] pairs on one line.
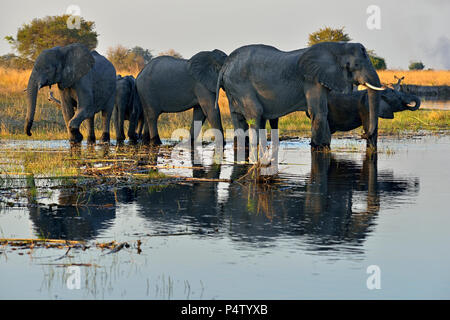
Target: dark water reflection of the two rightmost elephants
[[323, 207]]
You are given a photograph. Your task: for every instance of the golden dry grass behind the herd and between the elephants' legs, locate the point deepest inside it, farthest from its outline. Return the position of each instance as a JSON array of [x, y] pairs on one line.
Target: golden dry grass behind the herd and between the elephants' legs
[[49, 123]]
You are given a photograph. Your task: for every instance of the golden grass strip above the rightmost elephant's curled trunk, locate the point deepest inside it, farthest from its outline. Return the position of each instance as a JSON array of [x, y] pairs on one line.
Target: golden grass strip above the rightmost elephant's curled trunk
[[420, 77]]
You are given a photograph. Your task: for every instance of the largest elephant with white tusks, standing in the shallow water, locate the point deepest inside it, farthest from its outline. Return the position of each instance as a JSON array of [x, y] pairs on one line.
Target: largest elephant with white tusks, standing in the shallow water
[[262, 82]]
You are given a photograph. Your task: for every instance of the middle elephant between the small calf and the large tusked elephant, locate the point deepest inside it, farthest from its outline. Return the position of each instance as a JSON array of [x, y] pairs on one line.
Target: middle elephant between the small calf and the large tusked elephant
[[168, 84]]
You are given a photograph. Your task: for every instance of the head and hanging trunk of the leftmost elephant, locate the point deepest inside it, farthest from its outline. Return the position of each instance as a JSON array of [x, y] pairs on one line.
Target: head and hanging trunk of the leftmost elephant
[[59, 65]]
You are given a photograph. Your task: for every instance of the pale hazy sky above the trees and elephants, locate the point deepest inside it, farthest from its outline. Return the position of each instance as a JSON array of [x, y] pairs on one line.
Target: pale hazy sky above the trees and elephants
[[410, 30]]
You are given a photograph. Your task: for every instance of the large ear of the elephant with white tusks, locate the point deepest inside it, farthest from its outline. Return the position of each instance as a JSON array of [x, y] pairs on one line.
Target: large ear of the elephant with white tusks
[[320, 64]]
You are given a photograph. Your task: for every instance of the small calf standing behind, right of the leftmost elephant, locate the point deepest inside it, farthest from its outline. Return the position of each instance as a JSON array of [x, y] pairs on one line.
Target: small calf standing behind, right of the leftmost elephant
[[124, 109]]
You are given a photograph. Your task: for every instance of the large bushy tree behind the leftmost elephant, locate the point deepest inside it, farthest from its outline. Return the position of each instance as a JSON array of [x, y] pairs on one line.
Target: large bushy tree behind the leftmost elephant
[[51, 31]]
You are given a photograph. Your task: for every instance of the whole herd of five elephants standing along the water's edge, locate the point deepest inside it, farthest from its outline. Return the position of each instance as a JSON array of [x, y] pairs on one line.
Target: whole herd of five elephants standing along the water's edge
[[261, 83]]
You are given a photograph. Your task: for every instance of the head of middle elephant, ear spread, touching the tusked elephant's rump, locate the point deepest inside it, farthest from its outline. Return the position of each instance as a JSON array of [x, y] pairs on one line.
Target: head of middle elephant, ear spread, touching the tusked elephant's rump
[[205, 67]]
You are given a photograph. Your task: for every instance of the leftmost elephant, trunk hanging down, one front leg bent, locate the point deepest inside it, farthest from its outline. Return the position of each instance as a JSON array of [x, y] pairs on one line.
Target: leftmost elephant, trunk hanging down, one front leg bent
[[86, 82]]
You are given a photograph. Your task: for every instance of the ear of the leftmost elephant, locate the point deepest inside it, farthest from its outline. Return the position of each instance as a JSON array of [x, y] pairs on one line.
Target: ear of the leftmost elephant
[[78, 61]]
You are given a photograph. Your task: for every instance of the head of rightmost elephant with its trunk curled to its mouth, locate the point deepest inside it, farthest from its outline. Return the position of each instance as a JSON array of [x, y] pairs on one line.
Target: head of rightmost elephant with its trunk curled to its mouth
[[396, 101]]
